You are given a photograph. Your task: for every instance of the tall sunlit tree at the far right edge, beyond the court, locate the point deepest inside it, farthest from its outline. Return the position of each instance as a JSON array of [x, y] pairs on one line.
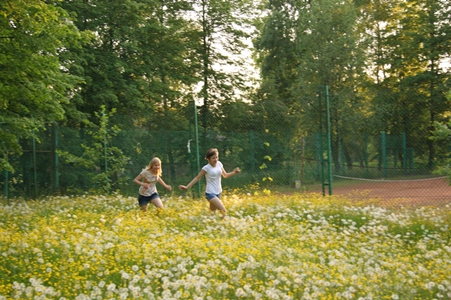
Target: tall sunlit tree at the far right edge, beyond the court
[[426, 32]]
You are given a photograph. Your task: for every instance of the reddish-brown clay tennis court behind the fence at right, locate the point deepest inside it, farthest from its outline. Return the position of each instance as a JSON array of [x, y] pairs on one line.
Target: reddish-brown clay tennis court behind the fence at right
[[431, 191]]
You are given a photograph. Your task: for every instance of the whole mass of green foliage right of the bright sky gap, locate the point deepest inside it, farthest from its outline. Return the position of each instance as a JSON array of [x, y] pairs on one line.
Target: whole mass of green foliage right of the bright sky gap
[[381, 76]]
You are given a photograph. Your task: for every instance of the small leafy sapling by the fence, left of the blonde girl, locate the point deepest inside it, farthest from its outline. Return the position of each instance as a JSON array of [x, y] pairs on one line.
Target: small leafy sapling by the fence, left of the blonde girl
[[104, 161]]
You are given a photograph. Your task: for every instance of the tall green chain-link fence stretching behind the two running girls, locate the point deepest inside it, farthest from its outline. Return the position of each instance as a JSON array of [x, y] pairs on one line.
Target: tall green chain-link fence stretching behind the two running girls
[[385, 166]]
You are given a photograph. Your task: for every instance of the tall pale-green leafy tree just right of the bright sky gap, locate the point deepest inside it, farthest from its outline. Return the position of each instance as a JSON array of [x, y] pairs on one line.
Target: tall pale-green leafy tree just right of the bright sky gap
[[307, 45]]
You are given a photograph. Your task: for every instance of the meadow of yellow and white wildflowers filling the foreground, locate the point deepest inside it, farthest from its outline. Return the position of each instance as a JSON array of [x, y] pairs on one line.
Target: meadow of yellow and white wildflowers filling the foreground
[[269, 247]]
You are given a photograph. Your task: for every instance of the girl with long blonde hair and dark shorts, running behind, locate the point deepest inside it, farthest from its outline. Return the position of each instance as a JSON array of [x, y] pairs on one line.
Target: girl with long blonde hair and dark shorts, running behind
[[147, 180]]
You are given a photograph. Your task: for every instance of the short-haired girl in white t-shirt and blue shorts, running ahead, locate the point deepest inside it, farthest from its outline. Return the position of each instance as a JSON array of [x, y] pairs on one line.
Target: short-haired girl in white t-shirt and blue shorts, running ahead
[[213, 172]]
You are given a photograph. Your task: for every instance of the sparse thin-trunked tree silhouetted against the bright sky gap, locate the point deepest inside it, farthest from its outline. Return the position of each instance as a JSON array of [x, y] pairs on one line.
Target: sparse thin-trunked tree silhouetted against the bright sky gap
[[222, 31]]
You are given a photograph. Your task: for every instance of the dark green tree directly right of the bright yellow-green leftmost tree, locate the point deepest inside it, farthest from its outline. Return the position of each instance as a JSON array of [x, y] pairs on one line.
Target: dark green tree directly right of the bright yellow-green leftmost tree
[[112, 63]]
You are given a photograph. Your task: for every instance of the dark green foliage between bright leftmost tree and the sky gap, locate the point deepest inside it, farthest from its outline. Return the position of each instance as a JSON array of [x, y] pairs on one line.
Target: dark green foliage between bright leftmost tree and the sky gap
[[139, 62]]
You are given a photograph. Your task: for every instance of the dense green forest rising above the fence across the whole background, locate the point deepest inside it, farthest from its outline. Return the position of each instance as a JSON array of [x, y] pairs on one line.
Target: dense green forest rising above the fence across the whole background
[[385, 63]]
